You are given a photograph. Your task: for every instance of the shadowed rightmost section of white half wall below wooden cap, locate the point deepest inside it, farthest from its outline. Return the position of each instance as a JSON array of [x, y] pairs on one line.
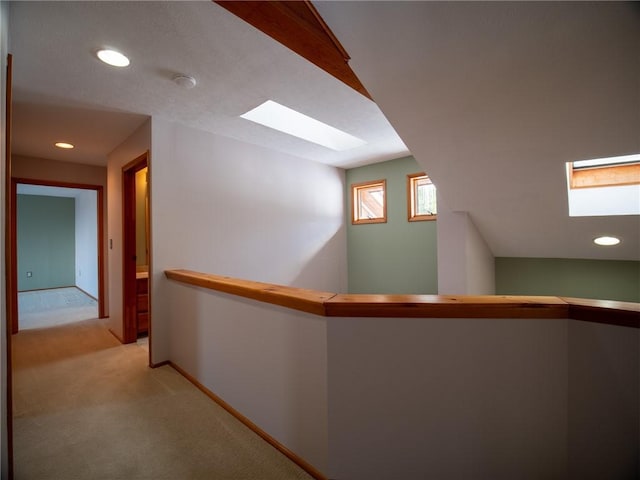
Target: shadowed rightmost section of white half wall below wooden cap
[[604, 436]]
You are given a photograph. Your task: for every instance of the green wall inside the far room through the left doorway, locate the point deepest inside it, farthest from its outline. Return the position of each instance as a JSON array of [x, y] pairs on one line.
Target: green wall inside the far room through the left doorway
[[46, 241]]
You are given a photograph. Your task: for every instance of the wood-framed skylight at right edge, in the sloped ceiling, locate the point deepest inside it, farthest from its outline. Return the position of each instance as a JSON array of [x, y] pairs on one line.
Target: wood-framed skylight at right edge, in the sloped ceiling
[[604, 186]]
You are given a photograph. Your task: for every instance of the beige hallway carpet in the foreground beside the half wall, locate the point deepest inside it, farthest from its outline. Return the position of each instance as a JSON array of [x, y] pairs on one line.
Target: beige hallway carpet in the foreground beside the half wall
[[87, 407]]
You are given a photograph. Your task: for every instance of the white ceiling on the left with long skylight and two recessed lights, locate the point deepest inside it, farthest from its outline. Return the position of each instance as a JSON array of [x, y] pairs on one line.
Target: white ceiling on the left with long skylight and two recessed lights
[[62, 92]]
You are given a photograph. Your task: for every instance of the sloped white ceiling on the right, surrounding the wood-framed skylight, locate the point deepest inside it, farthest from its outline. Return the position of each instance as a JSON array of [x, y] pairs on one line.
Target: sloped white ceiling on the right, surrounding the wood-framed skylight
[[492, 98]]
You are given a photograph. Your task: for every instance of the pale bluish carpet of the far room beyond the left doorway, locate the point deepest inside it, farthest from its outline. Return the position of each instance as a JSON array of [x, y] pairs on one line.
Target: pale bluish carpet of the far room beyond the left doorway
[[56, 306]]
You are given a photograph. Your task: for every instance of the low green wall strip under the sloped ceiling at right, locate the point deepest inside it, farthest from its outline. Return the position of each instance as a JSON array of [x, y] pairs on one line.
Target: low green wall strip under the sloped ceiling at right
[[600, 279]]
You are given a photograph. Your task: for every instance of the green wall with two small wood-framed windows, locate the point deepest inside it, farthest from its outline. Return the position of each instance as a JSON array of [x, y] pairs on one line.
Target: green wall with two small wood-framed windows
[[394, 257]]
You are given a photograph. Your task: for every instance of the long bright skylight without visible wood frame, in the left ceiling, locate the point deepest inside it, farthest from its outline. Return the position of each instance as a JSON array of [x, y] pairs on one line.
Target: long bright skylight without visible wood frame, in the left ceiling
[[286, 120]]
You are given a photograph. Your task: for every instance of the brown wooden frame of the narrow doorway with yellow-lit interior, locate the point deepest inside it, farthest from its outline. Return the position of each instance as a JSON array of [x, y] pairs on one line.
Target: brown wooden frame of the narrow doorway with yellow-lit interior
[[129, 292]]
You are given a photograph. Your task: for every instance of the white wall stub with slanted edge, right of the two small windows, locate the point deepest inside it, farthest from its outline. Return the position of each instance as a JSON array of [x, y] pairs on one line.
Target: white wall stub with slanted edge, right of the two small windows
[[466, 265]]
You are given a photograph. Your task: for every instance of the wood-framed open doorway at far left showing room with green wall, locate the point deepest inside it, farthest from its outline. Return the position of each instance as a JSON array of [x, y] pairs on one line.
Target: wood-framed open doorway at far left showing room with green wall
[[57, 259]]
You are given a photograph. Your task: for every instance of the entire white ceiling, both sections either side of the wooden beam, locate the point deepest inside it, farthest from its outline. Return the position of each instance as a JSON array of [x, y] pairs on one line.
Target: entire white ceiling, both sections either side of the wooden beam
[[492, 98]]
